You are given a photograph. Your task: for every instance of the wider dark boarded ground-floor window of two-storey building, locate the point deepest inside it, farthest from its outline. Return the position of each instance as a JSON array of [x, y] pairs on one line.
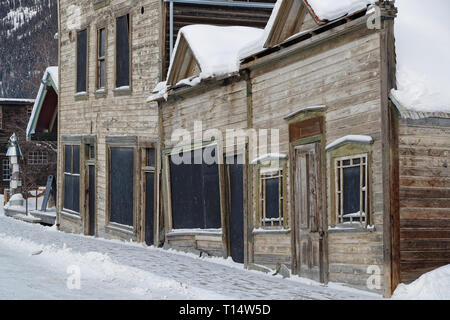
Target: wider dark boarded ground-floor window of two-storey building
[[121, 185]]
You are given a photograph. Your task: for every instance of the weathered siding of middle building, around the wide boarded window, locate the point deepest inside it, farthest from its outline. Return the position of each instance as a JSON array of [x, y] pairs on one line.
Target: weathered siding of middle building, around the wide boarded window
[[218, 106]]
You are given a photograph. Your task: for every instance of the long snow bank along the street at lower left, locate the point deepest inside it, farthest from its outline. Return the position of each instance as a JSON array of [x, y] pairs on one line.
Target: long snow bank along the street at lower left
[[99, 268]]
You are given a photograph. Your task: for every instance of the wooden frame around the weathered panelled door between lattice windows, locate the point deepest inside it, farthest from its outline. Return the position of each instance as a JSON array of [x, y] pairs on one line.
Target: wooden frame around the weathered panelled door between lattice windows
[[322, 224]]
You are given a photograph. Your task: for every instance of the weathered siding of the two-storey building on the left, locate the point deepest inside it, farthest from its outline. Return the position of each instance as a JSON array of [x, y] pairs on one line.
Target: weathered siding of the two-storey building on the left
[[109, 113]]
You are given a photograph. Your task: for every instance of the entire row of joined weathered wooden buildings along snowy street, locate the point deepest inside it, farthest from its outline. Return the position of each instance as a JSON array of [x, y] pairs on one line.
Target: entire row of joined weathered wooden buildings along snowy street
[[334, 195]]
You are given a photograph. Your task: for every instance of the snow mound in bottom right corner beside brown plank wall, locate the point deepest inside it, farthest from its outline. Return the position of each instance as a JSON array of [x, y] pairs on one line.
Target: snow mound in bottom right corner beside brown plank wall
[[434, 285]]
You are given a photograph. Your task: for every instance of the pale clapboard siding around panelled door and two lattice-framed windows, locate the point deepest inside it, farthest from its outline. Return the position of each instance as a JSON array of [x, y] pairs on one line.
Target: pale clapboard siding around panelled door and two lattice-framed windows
[[344, 75]]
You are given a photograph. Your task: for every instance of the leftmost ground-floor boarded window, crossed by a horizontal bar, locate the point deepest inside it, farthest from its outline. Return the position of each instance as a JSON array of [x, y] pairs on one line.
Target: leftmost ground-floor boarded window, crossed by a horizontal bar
[[72, 177]]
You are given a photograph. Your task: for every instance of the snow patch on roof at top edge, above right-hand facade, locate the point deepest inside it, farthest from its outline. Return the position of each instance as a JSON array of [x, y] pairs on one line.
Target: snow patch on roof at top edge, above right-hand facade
[[332, 9]]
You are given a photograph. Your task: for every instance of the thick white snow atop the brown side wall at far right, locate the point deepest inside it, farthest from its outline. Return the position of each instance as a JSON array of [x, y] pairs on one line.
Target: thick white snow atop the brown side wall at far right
[[423, 70]]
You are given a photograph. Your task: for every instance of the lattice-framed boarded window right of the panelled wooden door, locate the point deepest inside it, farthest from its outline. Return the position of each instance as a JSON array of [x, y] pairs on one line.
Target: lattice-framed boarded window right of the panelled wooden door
[[351, 189]]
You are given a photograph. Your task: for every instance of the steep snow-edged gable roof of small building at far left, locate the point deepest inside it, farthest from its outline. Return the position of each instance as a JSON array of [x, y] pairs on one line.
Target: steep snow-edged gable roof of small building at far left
[[50, 78]]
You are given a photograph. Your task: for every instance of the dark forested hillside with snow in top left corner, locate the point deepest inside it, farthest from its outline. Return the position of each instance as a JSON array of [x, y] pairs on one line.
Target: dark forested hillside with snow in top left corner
[[27, 45]]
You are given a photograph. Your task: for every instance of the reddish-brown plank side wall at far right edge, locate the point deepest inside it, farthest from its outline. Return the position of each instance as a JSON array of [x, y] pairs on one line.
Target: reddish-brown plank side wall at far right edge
[[424, 156]]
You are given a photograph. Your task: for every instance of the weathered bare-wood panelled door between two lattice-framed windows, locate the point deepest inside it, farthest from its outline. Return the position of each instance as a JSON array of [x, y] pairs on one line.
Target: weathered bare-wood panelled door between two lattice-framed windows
[[307, 208]]
